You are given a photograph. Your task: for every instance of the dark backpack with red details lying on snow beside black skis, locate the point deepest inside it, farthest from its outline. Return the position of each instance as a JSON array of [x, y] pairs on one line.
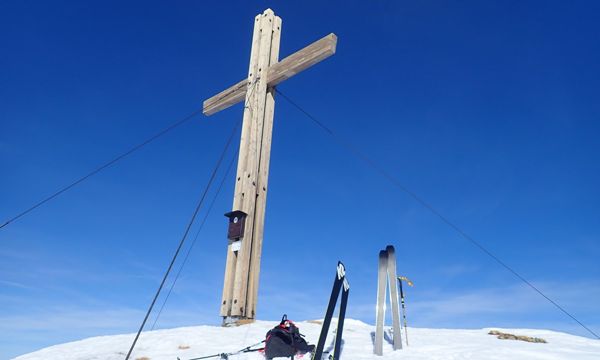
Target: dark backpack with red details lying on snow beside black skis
[[285, 340]]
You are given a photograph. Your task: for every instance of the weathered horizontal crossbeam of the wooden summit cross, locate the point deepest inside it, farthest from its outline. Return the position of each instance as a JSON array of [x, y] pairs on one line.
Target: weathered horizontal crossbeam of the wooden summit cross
[[283, 70]]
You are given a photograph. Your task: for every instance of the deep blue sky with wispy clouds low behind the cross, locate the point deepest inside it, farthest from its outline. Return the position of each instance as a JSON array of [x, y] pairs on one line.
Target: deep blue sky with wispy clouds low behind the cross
[[488, 110]]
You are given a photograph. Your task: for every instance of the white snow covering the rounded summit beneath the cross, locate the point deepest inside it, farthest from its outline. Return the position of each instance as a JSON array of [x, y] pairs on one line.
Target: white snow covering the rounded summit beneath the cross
[[447, 344]]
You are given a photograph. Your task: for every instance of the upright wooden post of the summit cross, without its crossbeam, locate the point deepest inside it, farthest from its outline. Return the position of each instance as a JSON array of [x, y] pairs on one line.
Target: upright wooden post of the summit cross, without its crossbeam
[[243, 259]]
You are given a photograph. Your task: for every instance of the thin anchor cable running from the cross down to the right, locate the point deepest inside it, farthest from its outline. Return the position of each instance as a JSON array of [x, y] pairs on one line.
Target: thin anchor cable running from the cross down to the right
[[395, 182]]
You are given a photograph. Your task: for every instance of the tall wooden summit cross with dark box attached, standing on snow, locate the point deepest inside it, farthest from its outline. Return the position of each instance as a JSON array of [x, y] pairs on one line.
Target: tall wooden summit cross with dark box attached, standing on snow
[[240, 287]]
